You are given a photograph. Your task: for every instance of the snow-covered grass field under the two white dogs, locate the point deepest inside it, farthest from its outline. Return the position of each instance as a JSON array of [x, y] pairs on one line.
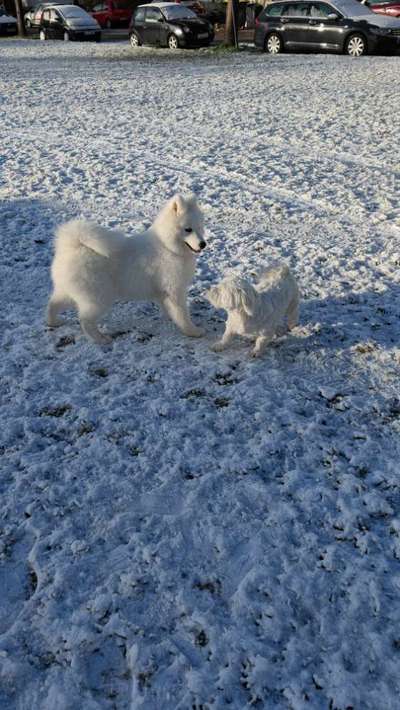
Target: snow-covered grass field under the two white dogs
[[180, 529]]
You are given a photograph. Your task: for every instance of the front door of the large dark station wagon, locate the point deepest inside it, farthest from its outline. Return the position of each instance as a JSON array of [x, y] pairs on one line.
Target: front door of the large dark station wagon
[[326, 26]]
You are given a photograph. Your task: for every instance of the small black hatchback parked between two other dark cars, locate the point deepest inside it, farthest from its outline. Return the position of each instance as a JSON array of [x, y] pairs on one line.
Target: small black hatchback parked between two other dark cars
[[169, 25]]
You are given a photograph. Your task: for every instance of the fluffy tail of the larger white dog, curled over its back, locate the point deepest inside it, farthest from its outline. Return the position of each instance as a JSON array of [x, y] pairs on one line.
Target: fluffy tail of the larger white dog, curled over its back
[[72, 235]]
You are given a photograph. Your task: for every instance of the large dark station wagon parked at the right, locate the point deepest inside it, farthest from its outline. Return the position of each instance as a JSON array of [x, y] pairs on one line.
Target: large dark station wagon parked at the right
[[339, 26]]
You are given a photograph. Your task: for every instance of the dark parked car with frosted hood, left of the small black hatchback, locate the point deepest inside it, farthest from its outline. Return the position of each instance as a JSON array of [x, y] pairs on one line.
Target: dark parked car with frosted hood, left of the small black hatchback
[[68, 22]]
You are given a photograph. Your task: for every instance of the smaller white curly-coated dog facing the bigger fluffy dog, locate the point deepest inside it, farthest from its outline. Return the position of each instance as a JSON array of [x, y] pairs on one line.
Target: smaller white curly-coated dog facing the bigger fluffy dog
[[259, 312]]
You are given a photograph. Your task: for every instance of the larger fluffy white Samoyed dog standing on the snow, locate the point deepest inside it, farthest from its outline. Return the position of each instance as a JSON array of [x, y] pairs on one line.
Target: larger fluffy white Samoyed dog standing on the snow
[[93, 267]]
